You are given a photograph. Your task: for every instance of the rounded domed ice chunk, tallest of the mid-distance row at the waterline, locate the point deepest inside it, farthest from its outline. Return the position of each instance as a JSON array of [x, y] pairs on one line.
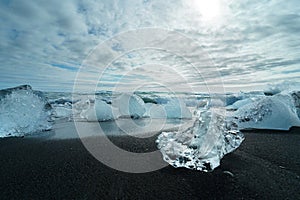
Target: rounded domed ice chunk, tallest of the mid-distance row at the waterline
[[130, 105]]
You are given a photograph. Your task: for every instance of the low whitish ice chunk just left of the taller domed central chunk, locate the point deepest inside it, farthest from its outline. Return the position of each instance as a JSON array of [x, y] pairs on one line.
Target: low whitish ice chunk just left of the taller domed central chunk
[[99, 111]]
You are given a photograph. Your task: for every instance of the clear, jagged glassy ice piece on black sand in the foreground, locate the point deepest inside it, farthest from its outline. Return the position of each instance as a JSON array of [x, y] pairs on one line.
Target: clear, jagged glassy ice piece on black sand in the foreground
[[202, 146]]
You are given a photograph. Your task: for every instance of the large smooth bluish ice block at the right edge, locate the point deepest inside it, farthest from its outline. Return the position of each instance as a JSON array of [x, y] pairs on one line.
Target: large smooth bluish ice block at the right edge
[[271, 112]]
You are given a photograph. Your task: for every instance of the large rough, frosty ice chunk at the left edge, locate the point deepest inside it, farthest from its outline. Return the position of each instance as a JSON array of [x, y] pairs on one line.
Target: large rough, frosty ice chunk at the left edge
[[23, 111]]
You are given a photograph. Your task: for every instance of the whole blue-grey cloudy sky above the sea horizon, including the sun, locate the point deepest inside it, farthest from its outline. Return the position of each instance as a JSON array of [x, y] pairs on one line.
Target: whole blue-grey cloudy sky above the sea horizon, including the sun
[[196, 45]]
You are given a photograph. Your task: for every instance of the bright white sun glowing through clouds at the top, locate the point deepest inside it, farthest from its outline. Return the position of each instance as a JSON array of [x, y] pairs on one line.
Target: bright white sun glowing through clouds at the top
[[208, 9]]
